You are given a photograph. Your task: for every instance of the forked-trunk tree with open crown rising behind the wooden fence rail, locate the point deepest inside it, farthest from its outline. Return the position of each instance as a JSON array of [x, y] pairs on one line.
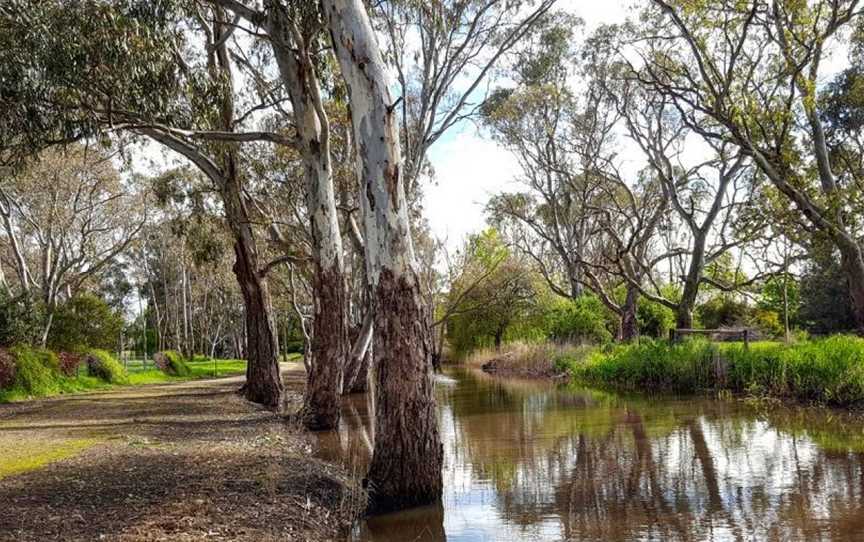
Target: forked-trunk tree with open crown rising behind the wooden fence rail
[[709, 191]]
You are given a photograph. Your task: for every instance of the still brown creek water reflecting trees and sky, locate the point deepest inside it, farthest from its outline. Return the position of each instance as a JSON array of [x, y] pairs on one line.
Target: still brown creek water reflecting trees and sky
[[529, 461]]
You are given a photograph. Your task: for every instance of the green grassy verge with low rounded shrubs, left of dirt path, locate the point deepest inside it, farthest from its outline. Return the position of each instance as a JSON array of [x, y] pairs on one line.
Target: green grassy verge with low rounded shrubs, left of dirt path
[[27, 372]]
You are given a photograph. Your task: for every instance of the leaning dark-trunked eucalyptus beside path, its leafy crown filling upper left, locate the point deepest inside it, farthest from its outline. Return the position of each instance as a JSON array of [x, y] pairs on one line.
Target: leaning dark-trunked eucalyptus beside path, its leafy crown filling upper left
[[132, 69]]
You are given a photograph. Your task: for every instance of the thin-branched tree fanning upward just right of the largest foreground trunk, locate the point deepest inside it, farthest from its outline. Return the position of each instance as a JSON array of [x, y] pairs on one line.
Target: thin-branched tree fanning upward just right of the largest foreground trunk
[[445, 55]]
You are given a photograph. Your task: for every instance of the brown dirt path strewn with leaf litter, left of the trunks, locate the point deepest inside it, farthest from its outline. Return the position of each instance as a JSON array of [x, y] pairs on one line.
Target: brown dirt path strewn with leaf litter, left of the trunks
[[185, 461]]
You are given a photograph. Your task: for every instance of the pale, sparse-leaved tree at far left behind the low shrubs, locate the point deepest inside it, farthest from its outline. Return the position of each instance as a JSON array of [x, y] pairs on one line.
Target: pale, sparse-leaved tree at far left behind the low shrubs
[[66, 217]]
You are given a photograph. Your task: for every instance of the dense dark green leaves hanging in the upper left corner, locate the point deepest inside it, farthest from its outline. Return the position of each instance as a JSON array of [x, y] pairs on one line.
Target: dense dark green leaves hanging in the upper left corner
[[56, 88]]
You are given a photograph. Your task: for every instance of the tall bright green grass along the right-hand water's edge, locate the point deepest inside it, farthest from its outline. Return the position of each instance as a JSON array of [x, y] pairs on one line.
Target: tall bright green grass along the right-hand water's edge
[[829, 371]]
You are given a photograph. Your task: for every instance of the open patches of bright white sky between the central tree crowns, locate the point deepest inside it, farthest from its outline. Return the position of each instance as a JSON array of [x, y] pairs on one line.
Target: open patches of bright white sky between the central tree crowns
[[469, 166]]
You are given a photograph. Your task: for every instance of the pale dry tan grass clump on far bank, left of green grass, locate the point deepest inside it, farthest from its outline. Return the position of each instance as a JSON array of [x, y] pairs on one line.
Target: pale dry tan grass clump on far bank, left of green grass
[[528, 360]]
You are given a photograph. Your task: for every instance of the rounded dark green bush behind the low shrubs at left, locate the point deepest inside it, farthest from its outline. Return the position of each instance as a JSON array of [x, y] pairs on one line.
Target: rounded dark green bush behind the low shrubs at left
[[85, 321]]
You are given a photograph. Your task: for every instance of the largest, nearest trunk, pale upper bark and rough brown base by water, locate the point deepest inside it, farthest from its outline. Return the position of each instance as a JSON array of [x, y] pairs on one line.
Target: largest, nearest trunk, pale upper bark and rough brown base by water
[[406, 463]]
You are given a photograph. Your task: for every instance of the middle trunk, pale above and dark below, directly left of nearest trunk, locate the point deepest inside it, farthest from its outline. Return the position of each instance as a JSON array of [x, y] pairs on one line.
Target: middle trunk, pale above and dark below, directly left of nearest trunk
[[329, 346]]
